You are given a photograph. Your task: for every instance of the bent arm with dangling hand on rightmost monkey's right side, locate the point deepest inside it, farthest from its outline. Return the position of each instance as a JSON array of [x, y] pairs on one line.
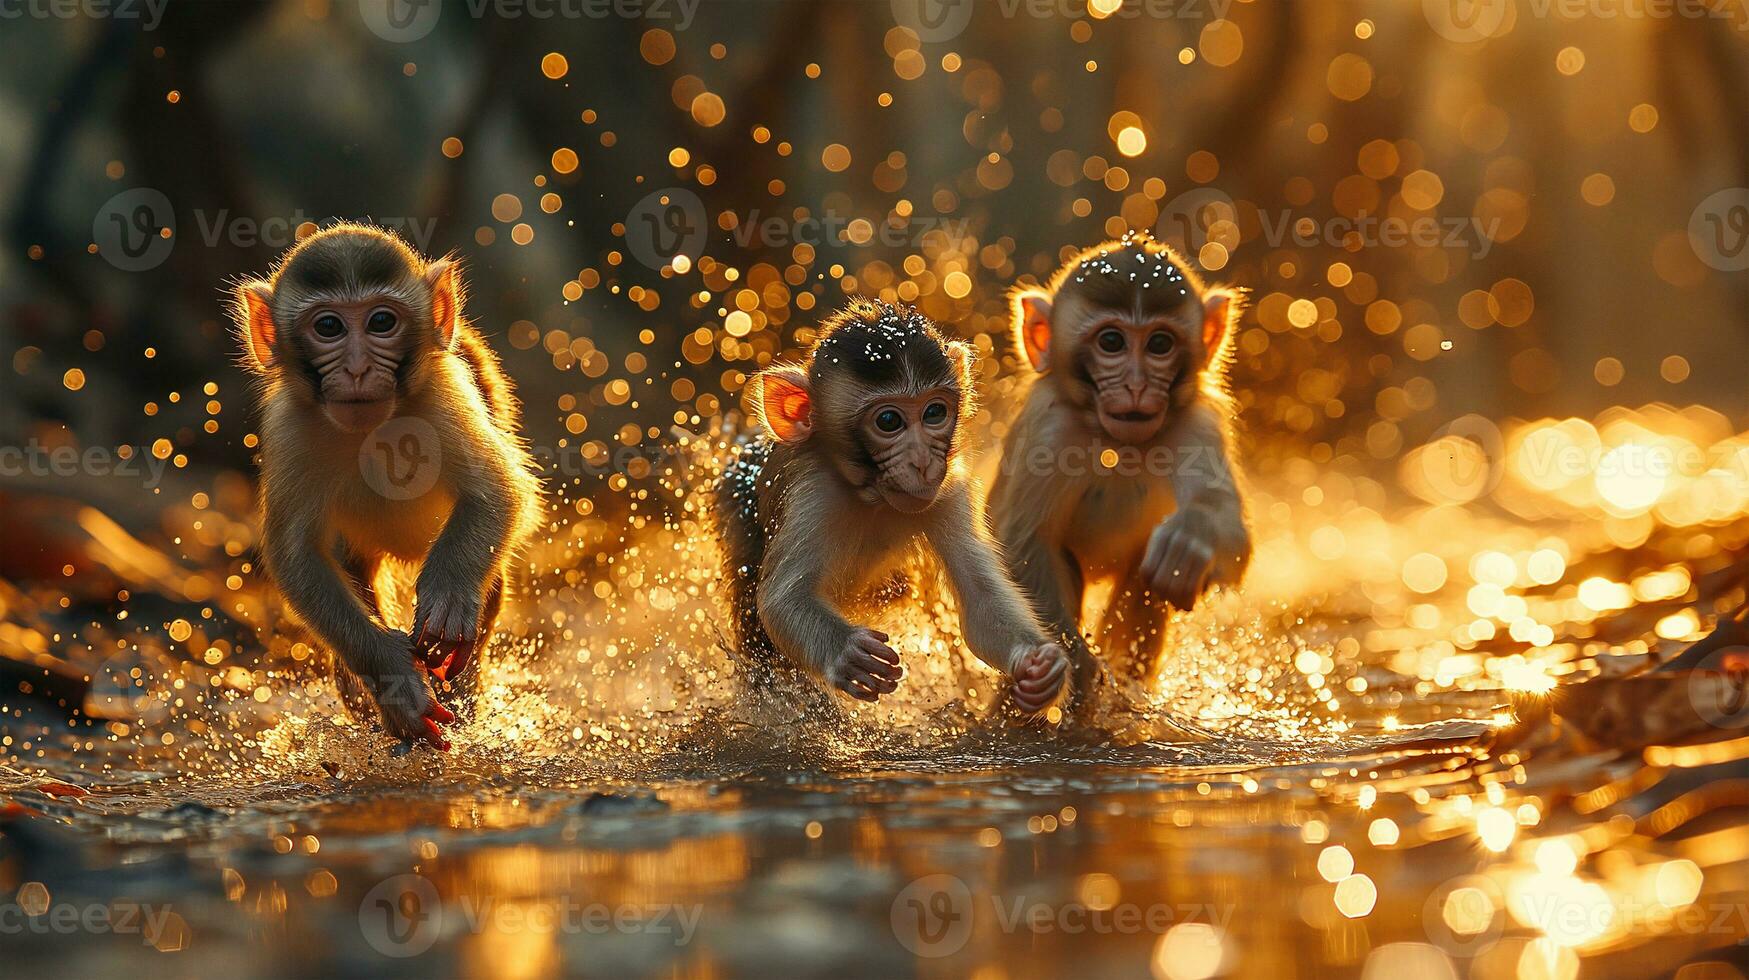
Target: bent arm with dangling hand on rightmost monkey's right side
[[1206, 540]]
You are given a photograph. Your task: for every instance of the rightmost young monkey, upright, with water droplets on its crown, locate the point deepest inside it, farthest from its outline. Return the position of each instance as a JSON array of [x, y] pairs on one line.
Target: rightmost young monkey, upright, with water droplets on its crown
[[1118, 466]]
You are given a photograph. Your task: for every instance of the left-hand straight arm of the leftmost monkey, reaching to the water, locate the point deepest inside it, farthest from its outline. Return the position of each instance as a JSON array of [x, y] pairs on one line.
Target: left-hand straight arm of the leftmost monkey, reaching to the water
[[312, 584]]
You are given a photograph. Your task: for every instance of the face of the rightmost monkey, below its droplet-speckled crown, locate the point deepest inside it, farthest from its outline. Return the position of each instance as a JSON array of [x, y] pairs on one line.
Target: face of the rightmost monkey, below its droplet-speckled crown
[[1132, 368]]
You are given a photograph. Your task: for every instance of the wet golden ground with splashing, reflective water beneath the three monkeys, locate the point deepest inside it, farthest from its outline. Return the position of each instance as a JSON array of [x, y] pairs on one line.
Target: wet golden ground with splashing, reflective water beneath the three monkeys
[[1433, 738]]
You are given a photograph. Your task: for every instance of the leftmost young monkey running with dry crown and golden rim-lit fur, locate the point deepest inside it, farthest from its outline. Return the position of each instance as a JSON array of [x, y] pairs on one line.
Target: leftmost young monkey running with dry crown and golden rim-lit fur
[[387, 431]]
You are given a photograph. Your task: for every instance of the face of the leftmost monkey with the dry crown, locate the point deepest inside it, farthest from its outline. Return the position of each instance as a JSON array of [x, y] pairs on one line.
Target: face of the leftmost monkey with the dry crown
[[356, 353]]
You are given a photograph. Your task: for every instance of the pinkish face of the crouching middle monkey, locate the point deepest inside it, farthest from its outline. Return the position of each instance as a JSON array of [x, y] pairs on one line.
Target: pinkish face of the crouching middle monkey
[[910, 440]]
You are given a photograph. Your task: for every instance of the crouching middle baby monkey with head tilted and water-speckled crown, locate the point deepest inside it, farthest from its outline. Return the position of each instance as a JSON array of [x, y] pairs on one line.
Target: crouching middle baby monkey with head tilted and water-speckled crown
[[861, 461]]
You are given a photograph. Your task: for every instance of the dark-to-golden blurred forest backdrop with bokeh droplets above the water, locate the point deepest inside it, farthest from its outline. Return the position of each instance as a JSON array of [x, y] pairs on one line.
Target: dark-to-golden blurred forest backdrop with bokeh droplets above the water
[[1502, 207]]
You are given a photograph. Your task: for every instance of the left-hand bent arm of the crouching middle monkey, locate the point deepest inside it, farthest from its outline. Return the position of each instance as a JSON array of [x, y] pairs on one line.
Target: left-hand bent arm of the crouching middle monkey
[[798, 619]]
